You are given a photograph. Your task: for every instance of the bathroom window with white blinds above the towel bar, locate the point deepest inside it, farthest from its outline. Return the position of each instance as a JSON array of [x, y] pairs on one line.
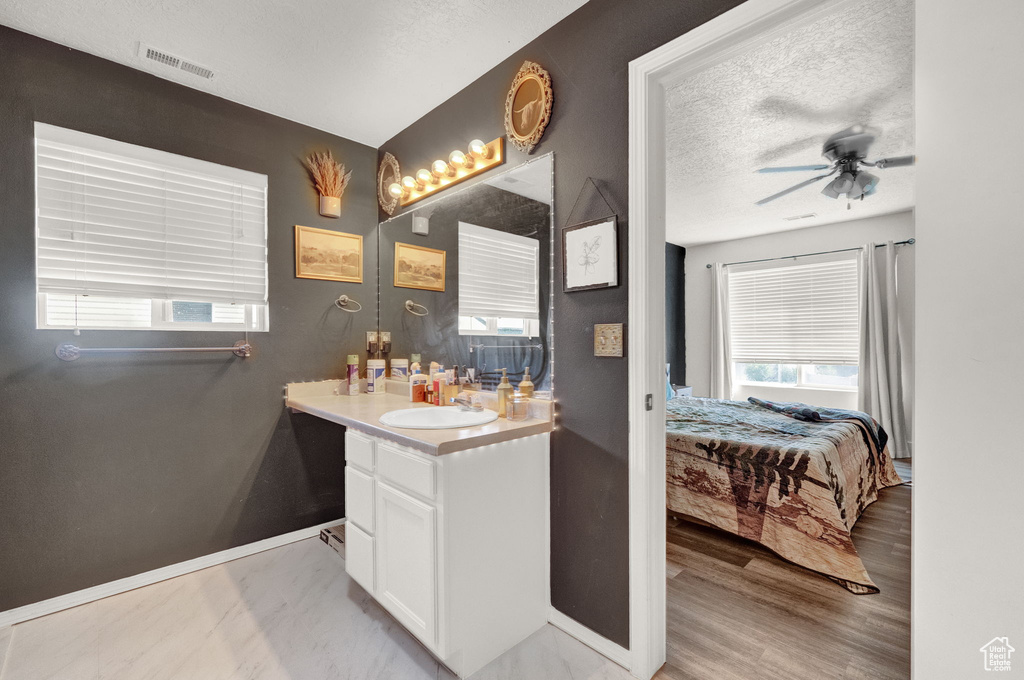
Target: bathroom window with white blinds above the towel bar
[[134, 238]]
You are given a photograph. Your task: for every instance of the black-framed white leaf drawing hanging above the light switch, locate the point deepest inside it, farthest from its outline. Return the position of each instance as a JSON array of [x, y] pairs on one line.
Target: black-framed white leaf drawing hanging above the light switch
[[589, 256]]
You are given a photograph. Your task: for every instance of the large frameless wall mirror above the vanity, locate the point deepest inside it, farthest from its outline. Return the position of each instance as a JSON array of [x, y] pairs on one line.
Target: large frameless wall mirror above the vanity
[[466, 280]]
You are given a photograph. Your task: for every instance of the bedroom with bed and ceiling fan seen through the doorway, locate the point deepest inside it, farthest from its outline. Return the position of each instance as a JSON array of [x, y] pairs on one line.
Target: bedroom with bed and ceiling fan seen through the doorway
[[771, 296]]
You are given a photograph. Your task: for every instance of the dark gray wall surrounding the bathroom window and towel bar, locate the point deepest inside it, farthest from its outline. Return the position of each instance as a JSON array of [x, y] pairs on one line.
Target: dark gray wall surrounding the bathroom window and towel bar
[[113, 466]]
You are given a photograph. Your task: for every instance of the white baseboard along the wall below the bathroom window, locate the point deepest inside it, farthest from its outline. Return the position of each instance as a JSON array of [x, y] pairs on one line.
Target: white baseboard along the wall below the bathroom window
[[70, 601]]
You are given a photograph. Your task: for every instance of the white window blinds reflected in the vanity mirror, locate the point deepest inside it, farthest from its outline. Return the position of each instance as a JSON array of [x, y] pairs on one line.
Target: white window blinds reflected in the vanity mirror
[[499, 274]]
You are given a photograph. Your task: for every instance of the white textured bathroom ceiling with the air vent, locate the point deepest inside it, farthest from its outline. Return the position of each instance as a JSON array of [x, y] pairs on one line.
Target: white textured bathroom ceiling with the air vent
[[361, 69]]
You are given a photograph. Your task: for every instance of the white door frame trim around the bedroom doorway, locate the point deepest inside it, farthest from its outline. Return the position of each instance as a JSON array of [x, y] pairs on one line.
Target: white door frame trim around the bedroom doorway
[[720, 38]]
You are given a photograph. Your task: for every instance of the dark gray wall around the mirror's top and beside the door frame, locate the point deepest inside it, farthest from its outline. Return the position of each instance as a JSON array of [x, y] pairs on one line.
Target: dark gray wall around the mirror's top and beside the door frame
[[588, 56]]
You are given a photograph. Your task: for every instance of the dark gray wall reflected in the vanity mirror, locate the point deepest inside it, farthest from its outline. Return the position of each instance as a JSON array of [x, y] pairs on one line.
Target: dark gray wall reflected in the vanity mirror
[[437, 335]]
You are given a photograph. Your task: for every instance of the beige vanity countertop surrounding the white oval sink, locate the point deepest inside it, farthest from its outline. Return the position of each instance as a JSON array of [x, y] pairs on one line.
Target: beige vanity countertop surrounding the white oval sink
[[363, 413]]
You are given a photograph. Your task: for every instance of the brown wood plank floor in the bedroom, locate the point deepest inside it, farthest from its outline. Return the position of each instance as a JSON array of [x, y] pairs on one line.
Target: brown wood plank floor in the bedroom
[[738, 612]]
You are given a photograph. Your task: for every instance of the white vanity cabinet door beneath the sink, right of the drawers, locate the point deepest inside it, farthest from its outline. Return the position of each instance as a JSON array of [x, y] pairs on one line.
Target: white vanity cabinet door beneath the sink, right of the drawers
[[407, 573]]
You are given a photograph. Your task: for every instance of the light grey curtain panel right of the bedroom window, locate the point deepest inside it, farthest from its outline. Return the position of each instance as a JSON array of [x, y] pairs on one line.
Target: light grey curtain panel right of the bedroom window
[[881, 390]]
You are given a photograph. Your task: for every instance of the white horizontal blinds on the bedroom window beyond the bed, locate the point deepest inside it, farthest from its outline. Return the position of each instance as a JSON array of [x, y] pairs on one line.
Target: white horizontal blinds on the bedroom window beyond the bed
[[795, 314]]
